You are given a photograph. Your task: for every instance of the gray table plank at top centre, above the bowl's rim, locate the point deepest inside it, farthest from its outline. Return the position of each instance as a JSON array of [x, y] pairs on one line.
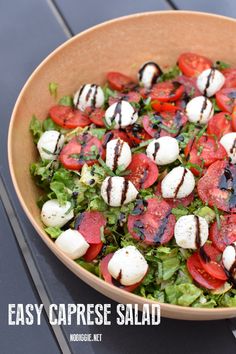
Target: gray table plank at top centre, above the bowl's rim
[[83, 14]]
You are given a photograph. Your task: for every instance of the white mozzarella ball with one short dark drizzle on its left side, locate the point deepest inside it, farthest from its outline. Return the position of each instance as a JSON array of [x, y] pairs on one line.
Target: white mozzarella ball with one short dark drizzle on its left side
[[163, 150]]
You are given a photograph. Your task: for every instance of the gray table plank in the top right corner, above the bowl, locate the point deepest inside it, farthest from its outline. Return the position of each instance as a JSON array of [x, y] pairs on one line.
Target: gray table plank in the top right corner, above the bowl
[[226, 7]]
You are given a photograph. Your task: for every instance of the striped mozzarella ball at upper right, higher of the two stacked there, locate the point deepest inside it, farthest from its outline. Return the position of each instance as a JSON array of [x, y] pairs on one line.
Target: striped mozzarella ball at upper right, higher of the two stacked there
[[210, 81]]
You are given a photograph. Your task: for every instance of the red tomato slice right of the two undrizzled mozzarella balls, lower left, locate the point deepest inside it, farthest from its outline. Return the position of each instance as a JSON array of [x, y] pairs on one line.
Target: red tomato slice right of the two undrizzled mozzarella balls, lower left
[[89, 224]]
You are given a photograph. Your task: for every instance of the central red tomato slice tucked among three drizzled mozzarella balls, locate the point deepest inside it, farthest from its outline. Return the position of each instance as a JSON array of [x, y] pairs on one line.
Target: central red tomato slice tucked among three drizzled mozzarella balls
[[143, 171]]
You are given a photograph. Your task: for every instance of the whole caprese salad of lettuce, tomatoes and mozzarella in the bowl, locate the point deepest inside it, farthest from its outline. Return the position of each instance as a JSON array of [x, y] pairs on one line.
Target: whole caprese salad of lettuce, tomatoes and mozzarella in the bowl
[[139, 180]]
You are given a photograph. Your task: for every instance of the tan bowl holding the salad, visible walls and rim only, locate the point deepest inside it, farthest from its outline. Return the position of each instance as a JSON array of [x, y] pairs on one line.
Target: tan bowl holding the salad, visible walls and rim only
[[120, 45]]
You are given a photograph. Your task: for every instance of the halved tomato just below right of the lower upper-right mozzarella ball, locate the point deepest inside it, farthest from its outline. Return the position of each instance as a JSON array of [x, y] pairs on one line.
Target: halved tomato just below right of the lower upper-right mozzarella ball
[[220, 124]]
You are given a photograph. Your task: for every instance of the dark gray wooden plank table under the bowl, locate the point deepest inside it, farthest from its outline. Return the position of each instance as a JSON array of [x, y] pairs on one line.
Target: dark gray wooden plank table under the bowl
[[29, 272]]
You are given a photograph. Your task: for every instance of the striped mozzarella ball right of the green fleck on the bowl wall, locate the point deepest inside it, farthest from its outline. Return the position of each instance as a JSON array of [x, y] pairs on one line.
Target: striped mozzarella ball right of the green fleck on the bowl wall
[[89, 95]]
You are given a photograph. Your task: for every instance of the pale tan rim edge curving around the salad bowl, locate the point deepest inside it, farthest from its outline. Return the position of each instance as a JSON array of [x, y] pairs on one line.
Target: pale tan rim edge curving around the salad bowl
[[100, 283]]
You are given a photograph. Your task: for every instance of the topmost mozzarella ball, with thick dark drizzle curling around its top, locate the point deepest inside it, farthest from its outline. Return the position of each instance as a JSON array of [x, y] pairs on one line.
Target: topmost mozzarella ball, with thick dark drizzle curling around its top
[[148, 74]]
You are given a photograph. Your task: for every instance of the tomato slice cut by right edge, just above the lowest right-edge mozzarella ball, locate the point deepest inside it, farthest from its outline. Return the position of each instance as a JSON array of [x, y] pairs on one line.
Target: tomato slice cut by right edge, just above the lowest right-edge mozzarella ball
[[226, 234]]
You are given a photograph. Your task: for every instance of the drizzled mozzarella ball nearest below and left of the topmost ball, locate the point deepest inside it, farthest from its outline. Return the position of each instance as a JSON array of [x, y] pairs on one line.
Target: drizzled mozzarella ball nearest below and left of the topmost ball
[[121, 114]]
